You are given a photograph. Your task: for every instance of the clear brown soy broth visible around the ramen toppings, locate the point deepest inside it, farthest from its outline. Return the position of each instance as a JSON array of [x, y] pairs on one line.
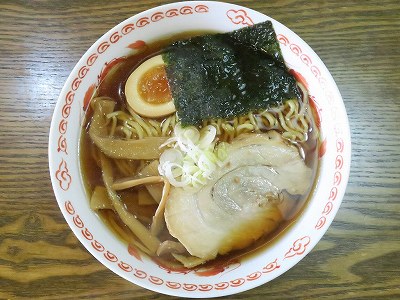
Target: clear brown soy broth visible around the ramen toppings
[[113, 86]]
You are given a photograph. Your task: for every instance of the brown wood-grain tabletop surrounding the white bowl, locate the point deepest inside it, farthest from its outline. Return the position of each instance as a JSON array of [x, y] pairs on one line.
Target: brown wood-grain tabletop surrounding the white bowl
[[40, 42]]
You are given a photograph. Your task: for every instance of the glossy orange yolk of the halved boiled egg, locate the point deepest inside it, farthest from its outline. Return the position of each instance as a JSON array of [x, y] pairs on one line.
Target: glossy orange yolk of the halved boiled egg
[[153, 86]]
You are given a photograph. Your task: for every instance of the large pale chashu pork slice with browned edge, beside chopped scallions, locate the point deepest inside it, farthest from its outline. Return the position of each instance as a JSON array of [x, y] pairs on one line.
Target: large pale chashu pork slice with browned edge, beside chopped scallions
[[242, 201]]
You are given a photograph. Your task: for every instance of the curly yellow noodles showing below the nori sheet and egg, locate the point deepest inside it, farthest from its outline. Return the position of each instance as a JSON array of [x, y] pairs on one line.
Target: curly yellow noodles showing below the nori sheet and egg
[[291, 118]]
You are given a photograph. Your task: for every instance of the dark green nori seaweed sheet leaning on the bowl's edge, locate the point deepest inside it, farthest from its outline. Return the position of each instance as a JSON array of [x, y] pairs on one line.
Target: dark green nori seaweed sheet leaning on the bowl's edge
[[228, 74]]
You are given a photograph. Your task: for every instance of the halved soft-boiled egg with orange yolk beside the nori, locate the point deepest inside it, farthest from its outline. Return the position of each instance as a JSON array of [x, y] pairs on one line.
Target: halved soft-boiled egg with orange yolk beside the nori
[[147, 91]]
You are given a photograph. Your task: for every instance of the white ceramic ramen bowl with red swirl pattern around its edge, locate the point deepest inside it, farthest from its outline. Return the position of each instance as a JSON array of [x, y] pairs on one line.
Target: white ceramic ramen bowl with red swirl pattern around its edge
[[152, 25]]
